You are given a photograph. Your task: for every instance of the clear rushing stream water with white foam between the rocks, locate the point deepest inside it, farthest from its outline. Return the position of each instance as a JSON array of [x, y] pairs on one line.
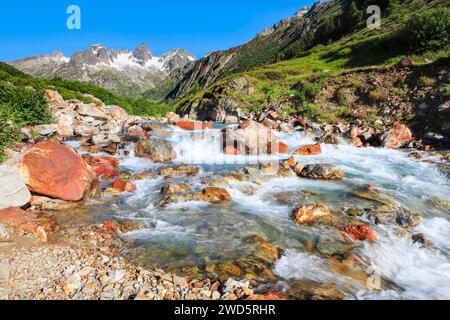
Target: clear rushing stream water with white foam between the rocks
[[196, 233]]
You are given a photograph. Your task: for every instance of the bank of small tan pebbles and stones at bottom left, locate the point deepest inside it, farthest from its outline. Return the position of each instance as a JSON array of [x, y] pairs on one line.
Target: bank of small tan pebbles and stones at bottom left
[[89, 265]]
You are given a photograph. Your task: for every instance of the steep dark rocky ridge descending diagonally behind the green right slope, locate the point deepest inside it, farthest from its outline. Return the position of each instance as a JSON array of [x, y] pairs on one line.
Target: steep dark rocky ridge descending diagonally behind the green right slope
[[302, 29]]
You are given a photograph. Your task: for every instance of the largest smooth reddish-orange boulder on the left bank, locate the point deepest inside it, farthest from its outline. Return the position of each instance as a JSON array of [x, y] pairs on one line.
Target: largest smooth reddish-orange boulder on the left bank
[[57, 171]]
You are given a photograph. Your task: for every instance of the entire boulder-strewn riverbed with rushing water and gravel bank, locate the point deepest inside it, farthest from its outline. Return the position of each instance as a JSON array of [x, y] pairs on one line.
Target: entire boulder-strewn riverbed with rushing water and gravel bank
[[97, 205]]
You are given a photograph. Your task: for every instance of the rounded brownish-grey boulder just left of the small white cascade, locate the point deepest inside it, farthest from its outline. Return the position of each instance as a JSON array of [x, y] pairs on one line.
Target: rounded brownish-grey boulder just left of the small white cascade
[[155, 150]]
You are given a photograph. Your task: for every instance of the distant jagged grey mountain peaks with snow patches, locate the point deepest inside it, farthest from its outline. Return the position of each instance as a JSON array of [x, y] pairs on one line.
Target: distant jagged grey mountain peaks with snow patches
[[124, 72]]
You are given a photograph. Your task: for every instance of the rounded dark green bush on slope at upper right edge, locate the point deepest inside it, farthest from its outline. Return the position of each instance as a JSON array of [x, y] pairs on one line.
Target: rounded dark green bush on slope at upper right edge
[[428, 29]]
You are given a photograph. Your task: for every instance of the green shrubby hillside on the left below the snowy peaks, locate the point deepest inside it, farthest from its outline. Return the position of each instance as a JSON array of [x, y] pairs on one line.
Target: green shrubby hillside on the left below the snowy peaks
[[22, 101]]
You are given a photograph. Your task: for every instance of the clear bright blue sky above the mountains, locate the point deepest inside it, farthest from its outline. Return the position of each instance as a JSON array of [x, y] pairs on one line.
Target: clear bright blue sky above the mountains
[[37, 27]]
